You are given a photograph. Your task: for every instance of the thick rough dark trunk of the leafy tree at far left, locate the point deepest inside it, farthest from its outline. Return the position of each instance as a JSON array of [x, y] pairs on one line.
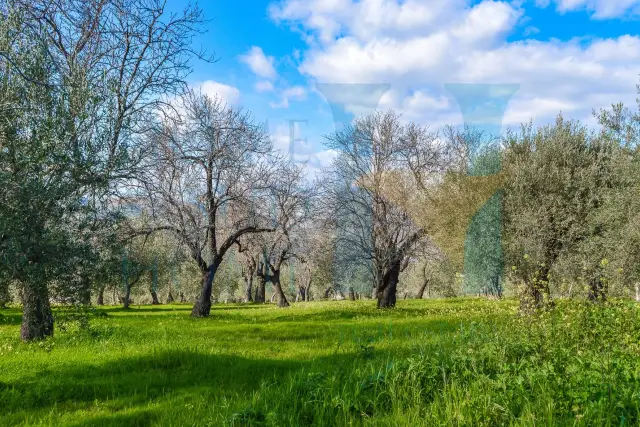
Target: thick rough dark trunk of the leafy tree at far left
[[37, 318]]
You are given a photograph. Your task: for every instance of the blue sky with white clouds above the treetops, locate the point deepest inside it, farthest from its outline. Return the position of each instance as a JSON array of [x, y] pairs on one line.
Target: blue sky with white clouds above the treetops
[[564, 55]]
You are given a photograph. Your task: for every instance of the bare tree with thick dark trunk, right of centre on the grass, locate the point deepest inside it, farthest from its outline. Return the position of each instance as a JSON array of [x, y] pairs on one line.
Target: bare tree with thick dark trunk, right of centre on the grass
[[375, 154]]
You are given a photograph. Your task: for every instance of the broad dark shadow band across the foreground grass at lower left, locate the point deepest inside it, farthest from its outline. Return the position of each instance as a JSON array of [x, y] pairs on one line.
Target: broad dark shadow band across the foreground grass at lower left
[[137, 381]]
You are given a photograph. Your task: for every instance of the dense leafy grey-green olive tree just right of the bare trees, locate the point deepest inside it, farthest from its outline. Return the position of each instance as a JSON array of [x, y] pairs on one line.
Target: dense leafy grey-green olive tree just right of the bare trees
[[556, 178]]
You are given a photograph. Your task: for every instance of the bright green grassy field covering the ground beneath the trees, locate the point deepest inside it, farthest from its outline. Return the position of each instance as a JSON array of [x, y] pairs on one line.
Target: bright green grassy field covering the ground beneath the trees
[[459, 362]]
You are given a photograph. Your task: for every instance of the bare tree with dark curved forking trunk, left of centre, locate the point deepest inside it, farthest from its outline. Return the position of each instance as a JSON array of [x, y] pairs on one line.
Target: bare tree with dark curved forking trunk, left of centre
[[210, 181]]
